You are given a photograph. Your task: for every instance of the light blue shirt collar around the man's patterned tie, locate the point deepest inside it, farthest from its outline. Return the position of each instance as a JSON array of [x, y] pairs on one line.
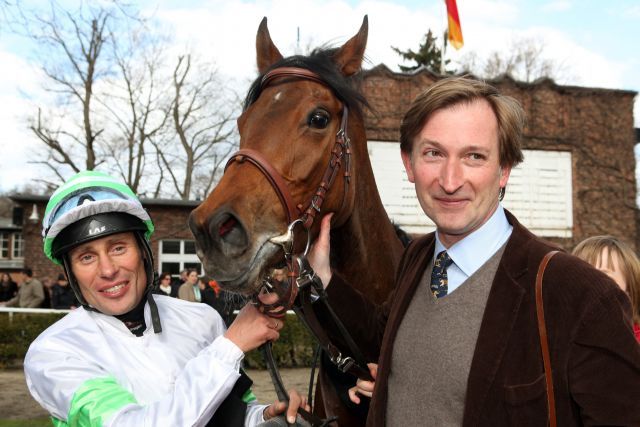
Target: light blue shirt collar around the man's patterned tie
[[470, 253]]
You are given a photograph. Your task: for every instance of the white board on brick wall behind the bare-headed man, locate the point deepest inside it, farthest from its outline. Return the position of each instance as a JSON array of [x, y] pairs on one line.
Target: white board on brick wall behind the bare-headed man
[[539, 192]]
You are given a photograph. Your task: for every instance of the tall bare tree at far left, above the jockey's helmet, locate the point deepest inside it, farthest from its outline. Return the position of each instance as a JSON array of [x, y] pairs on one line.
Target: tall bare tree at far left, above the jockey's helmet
[[74, 45]]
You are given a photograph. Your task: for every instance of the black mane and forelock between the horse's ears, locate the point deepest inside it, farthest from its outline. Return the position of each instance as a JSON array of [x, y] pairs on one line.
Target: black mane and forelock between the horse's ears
[[320, 61]]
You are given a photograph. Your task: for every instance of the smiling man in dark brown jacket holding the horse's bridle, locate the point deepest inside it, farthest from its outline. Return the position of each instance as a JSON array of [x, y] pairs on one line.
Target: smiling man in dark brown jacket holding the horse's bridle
[[458, 338]]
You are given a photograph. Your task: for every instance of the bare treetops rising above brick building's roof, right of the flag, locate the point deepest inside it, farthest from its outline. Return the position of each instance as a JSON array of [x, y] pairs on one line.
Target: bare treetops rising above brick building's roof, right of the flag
[[524, 60]]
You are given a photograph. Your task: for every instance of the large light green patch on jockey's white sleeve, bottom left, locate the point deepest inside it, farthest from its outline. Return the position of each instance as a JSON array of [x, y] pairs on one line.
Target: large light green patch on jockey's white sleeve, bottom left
[[94, 402]]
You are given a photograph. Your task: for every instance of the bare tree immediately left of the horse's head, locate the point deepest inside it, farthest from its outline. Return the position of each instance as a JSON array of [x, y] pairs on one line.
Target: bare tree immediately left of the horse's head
[[203, 117]]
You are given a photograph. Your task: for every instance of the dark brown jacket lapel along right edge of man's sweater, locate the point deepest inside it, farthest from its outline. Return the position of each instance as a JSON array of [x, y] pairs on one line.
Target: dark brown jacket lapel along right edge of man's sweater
[[503, 303]]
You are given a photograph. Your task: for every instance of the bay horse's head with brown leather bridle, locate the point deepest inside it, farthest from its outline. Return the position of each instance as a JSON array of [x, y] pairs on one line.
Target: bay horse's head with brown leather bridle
[[290, 134]]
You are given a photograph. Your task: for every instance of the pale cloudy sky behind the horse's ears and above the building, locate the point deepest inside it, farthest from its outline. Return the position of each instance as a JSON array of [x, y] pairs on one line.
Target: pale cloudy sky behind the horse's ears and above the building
[[595, 42]]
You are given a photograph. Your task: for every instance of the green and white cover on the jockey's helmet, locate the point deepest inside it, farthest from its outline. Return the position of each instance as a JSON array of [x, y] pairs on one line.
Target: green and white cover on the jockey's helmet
[[86, 194]]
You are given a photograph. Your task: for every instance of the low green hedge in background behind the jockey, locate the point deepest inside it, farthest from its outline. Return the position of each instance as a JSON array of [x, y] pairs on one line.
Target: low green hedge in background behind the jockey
[[294, 348]]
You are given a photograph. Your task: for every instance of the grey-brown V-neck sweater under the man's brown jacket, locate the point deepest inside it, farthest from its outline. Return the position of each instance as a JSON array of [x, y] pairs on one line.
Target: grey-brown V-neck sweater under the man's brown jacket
[[433, 350]]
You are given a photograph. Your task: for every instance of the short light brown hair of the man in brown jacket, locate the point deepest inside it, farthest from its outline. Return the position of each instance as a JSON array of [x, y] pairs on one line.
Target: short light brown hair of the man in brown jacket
[[458, 90]]
